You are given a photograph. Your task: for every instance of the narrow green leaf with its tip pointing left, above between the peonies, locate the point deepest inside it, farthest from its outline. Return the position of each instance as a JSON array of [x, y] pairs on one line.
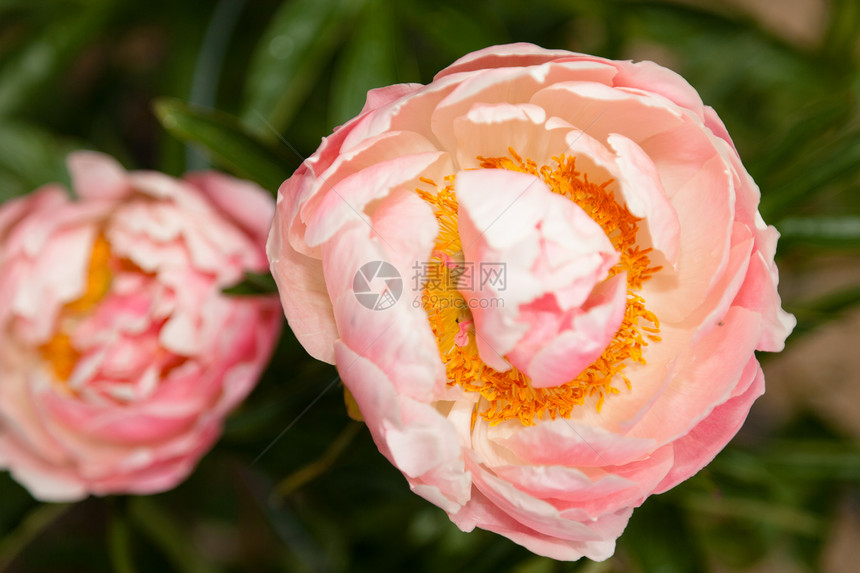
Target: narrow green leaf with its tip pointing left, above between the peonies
[[230, 144]]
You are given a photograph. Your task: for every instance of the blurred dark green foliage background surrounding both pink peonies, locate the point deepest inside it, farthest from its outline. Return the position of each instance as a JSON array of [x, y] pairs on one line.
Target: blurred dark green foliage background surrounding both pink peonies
[[294, 485]]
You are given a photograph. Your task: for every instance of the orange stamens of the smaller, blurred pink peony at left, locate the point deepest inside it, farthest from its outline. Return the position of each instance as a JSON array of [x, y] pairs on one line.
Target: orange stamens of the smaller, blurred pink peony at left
[[59, 352]]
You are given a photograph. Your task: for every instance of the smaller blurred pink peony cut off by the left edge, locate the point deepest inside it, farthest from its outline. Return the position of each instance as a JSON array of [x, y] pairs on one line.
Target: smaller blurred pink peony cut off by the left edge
[[119, 355]]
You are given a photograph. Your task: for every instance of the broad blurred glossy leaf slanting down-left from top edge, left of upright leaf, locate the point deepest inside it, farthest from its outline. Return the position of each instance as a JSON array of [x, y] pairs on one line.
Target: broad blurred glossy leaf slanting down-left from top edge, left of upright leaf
[[290, 57]]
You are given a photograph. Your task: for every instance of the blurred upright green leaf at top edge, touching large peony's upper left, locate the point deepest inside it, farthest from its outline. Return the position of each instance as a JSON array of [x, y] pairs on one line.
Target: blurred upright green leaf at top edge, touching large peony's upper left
[[366, 62]]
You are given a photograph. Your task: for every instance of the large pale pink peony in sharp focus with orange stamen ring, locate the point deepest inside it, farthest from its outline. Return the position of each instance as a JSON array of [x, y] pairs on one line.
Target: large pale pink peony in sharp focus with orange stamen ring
[[586, 279]]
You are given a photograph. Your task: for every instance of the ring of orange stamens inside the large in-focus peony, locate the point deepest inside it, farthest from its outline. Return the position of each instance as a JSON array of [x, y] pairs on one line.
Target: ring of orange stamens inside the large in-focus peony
[[509, 395]]
